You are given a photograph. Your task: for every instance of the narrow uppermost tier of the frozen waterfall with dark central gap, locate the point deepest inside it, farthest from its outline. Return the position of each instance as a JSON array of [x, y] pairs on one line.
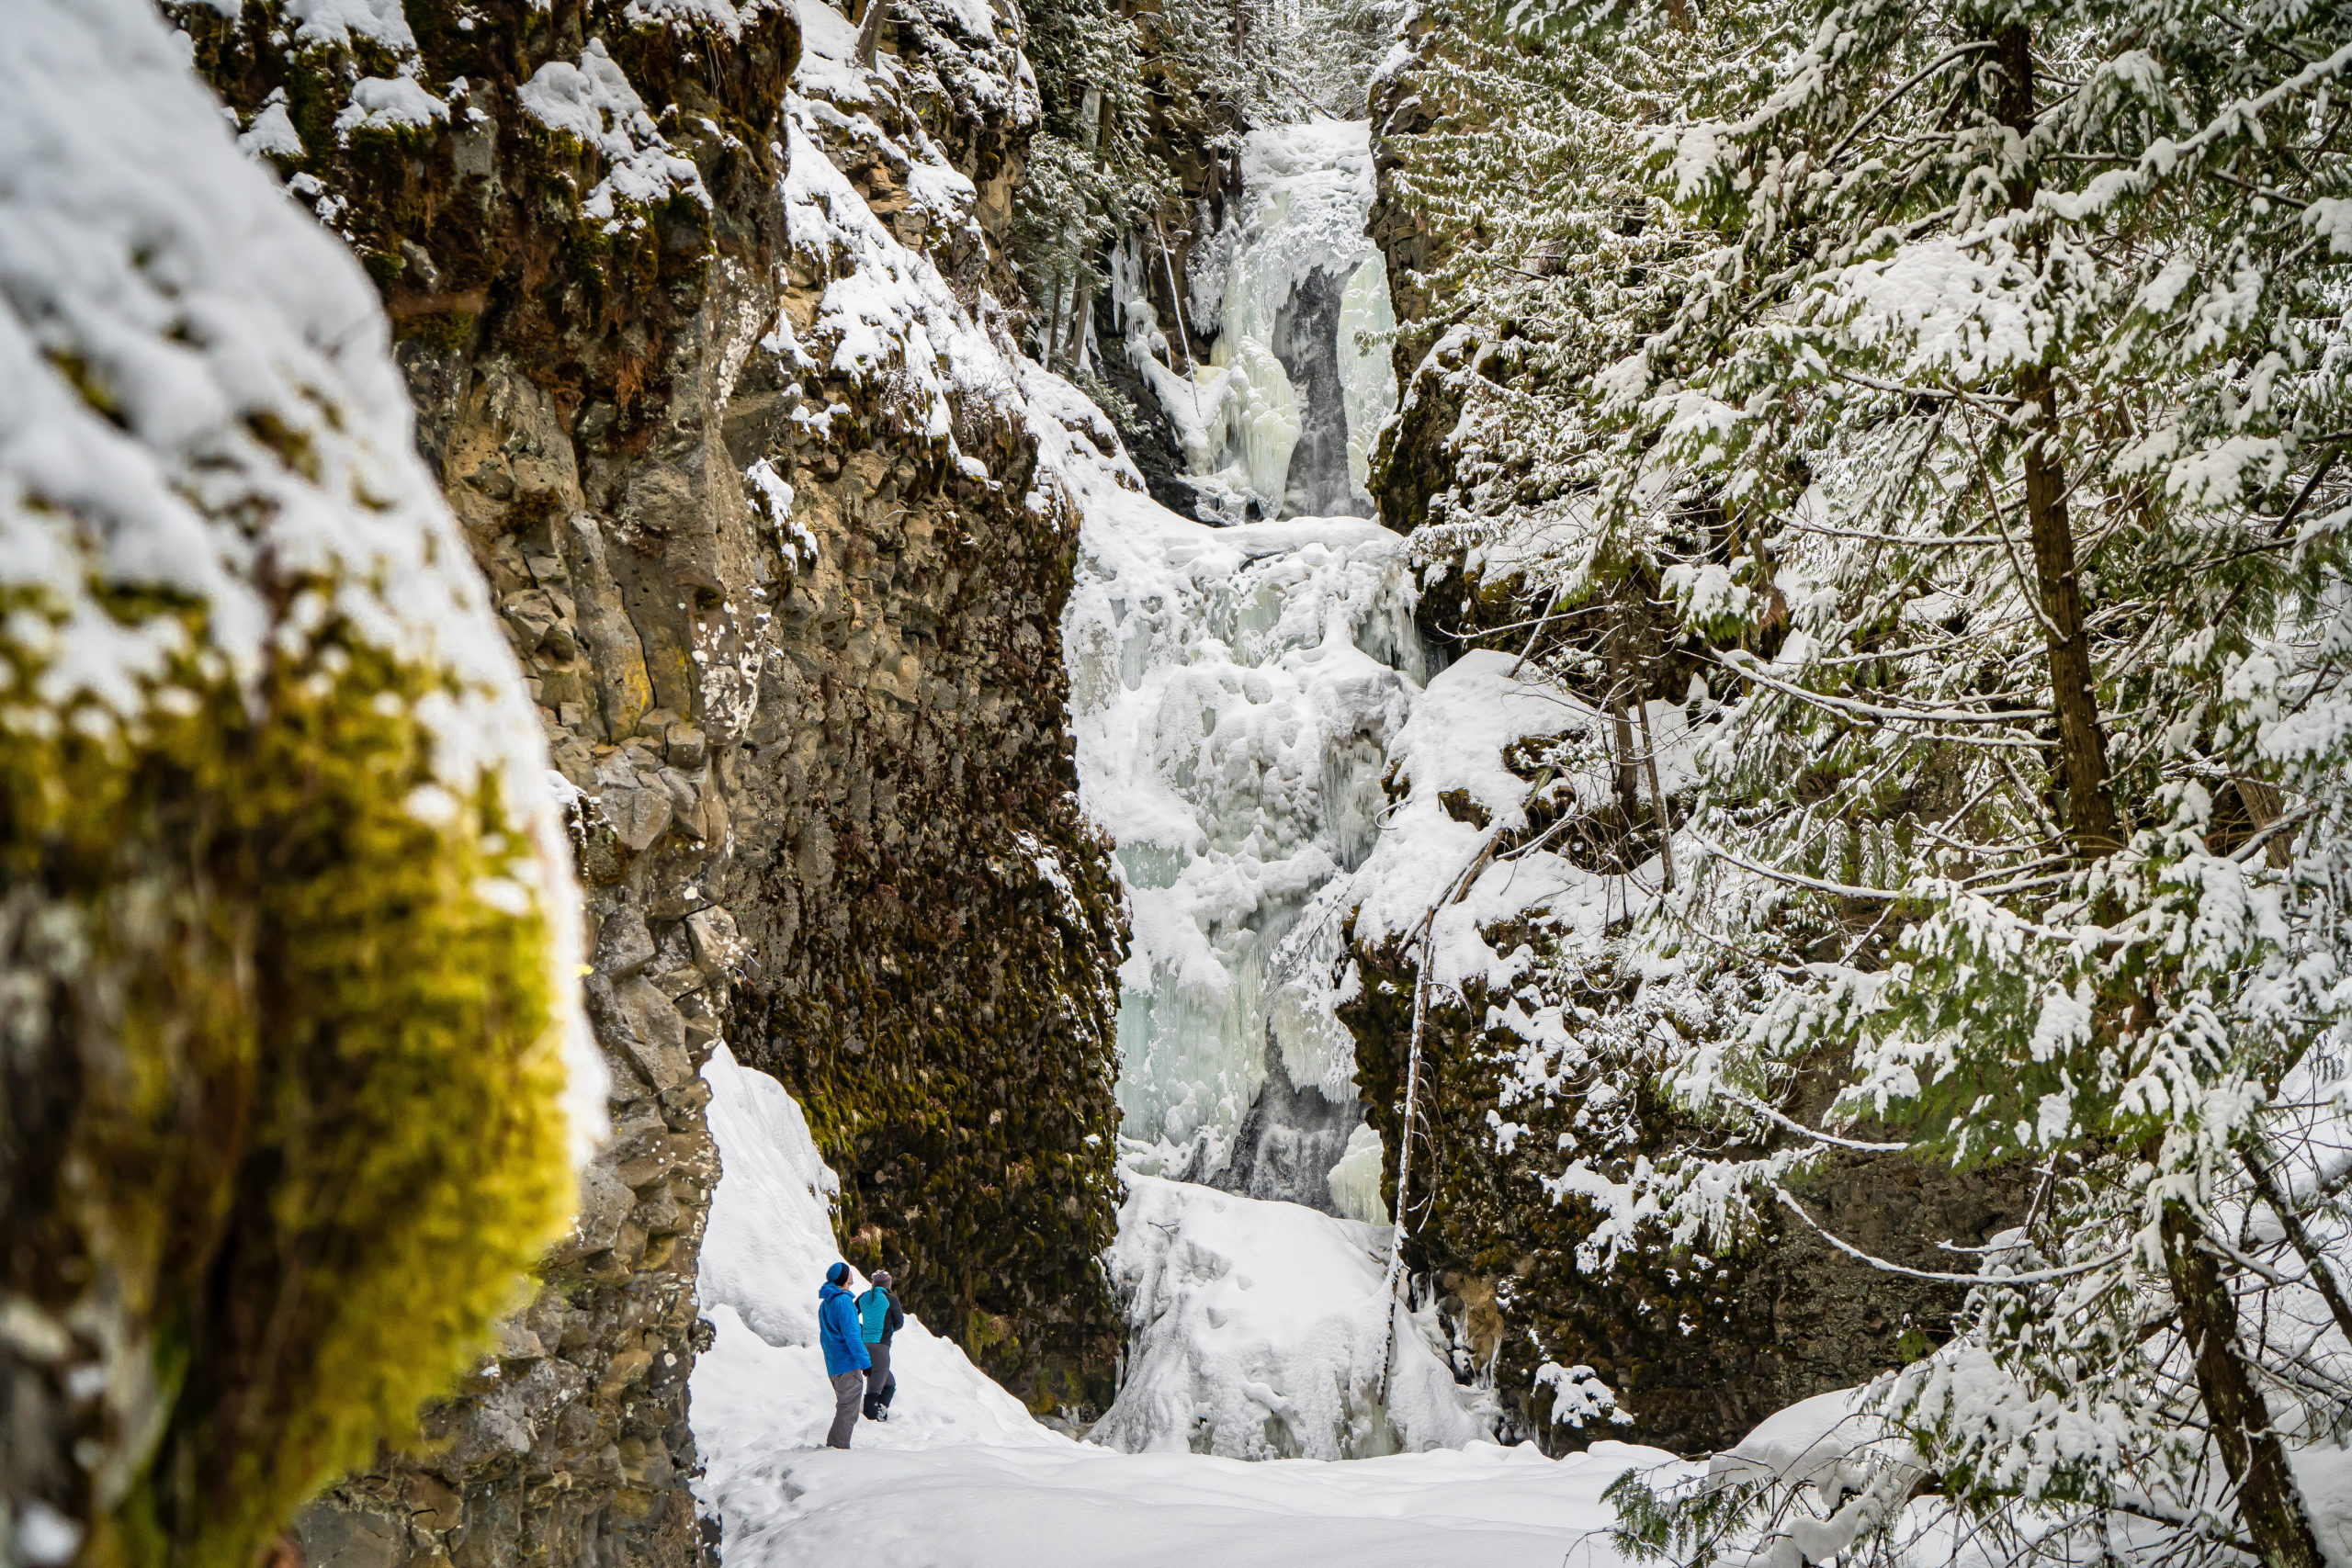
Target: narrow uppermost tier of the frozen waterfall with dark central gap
[[1281, 415]]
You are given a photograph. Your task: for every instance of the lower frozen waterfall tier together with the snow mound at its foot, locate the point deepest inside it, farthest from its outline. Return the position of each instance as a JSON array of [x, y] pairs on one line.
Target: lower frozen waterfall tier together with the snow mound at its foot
[[1238, 697]]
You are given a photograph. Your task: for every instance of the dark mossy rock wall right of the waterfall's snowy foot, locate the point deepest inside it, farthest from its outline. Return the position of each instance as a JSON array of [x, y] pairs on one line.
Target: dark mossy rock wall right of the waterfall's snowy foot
[[1695, 1346]]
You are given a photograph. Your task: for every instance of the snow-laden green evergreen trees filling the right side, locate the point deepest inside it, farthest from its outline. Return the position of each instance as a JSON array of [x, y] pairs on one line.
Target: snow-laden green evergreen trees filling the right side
[[1984, 453]]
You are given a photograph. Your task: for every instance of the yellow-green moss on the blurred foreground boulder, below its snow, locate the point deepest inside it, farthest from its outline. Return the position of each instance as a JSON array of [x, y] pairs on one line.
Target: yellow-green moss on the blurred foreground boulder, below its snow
[[314, 1141]]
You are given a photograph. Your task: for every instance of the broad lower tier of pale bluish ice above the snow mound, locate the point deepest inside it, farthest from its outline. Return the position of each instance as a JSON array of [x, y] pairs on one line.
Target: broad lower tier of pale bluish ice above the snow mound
[[1236, 695]]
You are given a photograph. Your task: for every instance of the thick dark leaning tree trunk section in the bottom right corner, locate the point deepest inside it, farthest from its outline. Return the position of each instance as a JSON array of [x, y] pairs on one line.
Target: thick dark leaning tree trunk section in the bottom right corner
[[2269, 1501]]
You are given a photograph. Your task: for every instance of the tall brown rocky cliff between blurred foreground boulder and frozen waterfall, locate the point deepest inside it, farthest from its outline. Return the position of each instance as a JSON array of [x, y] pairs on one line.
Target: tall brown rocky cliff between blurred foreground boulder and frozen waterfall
[[787, 596]]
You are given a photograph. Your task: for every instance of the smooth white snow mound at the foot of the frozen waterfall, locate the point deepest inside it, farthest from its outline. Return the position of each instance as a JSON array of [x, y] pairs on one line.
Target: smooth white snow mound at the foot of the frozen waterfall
[[1257, 1332]]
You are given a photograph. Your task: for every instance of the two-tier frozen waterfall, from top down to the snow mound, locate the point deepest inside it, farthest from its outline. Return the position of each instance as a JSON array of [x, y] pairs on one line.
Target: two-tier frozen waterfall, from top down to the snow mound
[[1236, 690]]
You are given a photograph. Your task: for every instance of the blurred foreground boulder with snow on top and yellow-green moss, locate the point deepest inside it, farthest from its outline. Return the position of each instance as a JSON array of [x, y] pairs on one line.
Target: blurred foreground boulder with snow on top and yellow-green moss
[[295, 1071]]
